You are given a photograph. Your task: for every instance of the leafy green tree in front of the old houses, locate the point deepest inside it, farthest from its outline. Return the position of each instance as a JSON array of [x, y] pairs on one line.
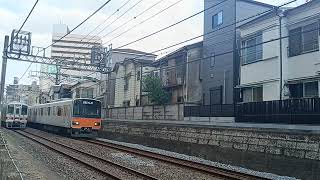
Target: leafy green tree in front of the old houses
[[153, 86]]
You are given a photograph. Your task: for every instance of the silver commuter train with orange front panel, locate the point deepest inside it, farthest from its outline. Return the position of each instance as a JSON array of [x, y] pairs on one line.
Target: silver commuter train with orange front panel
[[77, 117]]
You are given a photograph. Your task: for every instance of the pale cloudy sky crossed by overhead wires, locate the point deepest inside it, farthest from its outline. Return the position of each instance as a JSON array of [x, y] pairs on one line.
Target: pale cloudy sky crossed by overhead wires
[[72, 12]]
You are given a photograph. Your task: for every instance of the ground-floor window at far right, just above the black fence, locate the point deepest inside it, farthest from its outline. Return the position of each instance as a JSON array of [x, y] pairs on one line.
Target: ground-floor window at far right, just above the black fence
[[308, 89]]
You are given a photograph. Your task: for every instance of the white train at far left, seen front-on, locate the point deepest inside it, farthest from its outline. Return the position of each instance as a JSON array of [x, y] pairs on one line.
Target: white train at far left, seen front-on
[[14, 115]]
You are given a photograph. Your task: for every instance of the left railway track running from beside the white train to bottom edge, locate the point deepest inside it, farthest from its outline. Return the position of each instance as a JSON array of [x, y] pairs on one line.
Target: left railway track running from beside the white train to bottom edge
[[73, 154]]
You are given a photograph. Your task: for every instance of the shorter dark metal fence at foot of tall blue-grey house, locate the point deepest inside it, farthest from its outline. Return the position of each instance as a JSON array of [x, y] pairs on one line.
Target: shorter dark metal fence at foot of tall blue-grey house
[[216, 110]]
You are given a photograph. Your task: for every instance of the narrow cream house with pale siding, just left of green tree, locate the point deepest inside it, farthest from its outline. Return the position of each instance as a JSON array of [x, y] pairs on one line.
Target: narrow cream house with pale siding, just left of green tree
[[128, 77]]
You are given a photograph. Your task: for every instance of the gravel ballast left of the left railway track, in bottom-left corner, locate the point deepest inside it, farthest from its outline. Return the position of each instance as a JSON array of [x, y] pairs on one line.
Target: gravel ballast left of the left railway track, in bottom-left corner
[[42, 163]]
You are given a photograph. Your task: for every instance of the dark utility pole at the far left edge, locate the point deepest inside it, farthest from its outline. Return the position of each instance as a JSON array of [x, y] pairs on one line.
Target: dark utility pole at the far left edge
[[4, 69]]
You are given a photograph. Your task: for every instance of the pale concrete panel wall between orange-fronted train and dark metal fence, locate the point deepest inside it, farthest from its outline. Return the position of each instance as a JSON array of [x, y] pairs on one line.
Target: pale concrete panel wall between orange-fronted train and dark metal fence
[[167, 112]]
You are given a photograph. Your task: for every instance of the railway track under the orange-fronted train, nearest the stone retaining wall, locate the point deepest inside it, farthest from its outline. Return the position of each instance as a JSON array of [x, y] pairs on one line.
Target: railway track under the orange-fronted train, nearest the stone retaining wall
[[215, 171]]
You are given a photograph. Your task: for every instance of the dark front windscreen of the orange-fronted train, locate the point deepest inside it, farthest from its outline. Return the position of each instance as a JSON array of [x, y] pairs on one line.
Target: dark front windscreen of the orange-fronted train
[[87, 108]]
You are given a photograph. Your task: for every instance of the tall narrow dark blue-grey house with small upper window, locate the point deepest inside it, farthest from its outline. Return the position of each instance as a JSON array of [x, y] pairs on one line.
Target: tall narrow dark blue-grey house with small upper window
[[220, 66]]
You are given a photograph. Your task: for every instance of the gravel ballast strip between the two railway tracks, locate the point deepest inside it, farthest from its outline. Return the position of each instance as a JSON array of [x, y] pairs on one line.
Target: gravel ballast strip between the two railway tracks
[[151, 167]]
